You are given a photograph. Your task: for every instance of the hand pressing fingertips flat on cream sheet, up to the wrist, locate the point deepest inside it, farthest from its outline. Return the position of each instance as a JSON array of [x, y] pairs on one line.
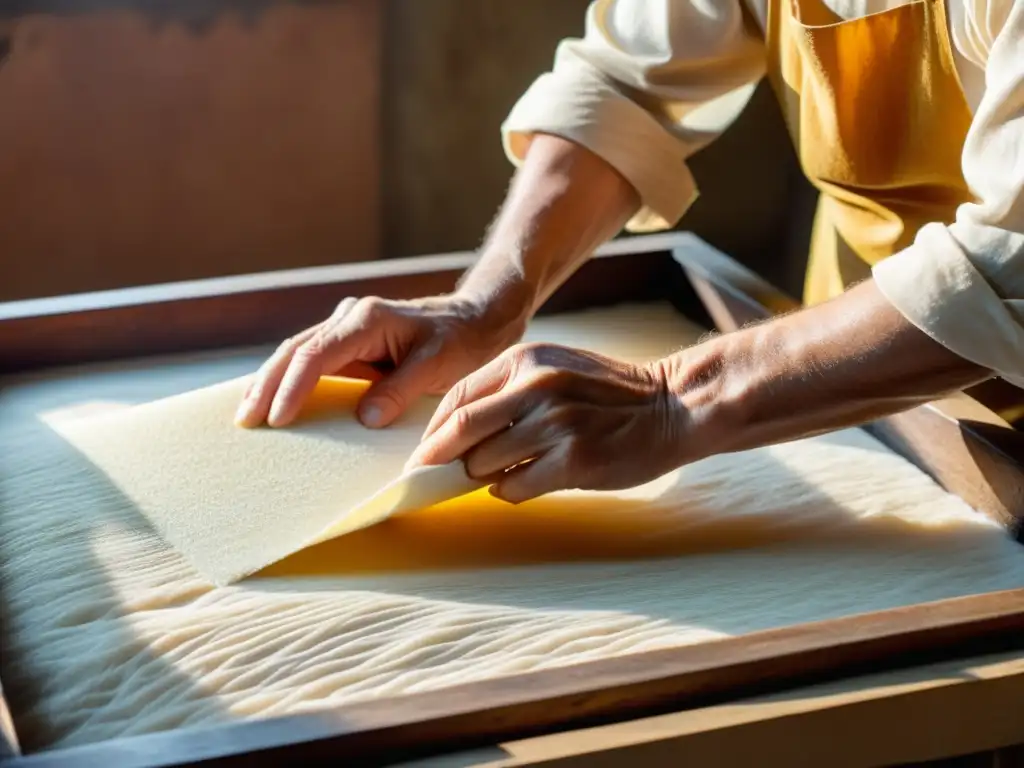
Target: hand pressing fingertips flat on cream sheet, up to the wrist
[[433, 344]]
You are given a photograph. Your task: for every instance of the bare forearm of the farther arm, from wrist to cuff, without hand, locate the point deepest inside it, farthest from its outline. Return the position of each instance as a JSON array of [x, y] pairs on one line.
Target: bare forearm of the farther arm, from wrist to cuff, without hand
[[564, 203]]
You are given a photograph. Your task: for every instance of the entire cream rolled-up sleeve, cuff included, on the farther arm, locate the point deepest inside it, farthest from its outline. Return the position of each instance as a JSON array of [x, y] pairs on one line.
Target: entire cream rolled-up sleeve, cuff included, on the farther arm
[[651, 83]]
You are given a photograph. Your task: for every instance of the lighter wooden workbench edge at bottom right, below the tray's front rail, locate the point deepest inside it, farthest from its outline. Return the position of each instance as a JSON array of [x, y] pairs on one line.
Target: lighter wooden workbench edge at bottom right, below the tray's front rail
[[924, 713]]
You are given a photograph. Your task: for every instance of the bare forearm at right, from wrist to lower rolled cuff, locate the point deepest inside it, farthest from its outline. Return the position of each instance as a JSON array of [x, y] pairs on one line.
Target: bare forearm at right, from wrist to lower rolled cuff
[[829, 367]]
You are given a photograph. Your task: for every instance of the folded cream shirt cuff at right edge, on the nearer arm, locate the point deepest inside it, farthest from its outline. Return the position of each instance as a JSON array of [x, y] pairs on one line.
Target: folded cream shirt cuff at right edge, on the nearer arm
[[934, 285]]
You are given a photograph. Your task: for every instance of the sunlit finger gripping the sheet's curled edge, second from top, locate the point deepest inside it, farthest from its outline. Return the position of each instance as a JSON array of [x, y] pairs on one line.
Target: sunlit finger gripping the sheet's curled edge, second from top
[[467, 428]]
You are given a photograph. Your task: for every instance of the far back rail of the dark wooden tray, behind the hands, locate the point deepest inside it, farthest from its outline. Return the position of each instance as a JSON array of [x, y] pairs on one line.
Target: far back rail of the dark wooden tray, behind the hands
[[268, 308]]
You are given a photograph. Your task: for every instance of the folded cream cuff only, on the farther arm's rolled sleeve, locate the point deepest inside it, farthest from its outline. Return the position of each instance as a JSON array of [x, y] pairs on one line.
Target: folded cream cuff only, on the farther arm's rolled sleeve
[[583, 108]]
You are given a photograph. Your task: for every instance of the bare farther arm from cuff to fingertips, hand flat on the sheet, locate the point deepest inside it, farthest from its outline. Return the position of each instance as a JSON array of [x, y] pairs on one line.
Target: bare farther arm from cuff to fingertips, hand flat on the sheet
[[566, 201]]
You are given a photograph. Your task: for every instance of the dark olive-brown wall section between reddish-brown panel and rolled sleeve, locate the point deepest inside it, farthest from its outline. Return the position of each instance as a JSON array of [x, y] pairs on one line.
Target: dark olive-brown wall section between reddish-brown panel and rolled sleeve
[[454, 69]]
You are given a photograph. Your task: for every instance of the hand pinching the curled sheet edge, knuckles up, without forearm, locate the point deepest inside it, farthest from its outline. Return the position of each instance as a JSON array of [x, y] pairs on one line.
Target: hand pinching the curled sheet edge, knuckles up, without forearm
[[542, 418]]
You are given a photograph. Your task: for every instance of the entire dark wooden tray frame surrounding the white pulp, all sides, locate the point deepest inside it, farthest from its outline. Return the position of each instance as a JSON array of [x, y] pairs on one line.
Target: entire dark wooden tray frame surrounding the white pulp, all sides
[[965, 447]]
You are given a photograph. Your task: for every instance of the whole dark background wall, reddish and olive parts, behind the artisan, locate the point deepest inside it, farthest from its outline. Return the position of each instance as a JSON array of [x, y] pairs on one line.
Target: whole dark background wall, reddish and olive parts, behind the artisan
[[154, 141]]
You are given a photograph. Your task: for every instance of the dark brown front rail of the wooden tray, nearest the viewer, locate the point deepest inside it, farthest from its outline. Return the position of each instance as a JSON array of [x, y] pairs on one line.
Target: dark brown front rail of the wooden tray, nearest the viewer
[[633, 686]]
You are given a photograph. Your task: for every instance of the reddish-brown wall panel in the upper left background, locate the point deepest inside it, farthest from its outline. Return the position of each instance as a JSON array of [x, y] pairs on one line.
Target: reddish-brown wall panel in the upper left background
[[149, 143]]
